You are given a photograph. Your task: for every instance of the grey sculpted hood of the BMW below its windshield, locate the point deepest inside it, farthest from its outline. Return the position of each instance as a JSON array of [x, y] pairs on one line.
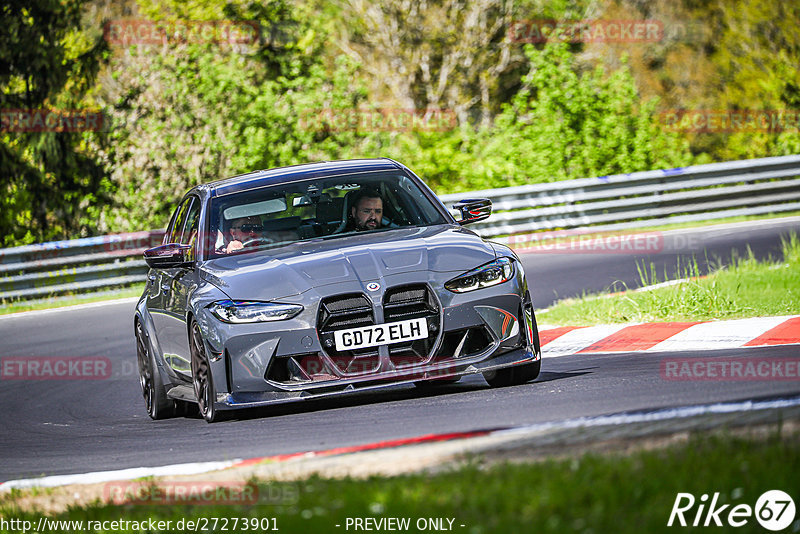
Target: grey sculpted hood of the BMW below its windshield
[[290, 270]]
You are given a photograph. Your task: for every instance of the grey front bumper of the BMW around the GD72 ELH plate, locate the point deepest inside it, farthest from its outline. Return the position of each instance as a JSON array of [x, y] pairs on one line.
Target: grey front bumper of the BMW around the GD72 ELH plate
[[256, 364]]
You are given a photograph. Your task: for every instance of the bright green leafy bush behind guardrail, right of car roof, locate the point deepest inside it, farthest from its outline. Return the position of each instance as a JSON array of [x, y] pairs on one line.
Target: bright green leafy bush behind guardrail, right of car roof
[[563, 123]]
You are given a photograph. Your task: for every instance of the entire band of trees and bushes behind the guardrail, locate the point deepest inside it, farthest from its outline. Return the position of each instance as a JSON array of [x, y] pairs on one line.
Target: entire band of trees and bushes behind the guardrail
[[186, 113]]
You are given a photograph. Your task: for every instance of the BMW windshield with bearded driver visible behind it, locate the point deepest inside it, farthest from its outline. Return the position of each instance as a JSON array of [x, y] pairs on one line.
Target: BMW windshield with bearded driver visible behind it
[[319, 208]]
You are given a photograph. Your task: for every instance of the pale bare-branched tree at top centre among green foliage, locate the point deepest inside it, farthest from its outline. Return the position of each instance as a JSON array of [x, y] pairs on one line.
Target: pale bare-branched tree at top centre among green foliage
[[452, 54]]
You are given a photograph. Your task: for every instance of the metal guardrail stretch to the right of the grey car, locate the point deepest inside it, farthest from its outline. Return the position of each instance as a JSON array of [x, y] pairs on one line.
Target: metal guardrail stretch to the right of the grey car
[[642, 199]]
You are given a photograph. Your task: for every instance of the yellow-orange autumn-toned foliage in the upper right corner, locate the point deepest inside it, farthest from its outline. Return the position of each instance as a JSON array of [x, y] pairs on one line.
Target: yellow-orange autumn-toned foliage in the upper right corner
[[719, 56]]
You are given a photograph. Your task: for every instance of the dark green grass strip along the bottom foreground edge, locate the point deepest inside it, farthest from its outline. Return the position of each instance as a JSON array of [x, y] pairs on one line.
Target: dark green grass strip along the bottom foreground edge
[[591, 493]]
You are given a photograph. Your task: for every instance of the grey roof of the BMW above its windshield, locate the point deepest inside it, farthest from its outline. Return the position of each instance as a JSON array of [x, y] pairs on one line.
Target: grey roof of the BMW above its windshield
[[294, 173]]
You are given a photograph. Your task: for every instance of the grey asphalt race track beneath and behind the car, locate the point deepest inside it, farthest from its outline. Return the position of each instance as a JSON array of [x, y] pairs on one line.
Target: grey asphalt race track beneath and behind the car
[[58, 427]]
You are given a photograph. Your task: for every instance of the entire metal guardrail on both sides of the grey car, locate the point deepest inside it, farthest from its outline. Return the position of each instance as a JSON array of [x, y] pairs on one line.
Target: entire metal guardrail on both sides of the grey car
[[607, 203]]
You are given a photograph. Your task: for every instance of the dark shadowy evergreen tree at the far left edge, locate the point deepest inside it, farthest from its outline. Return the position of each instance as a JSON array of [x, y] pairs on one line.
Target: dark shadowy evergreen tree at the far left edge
[[49, 183]]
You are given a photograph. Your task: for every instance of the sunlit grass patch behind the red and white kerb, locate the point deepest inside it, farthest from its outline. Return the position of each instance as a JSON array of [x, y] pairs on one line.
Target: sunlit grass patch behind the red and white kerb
[[747, 288]]
